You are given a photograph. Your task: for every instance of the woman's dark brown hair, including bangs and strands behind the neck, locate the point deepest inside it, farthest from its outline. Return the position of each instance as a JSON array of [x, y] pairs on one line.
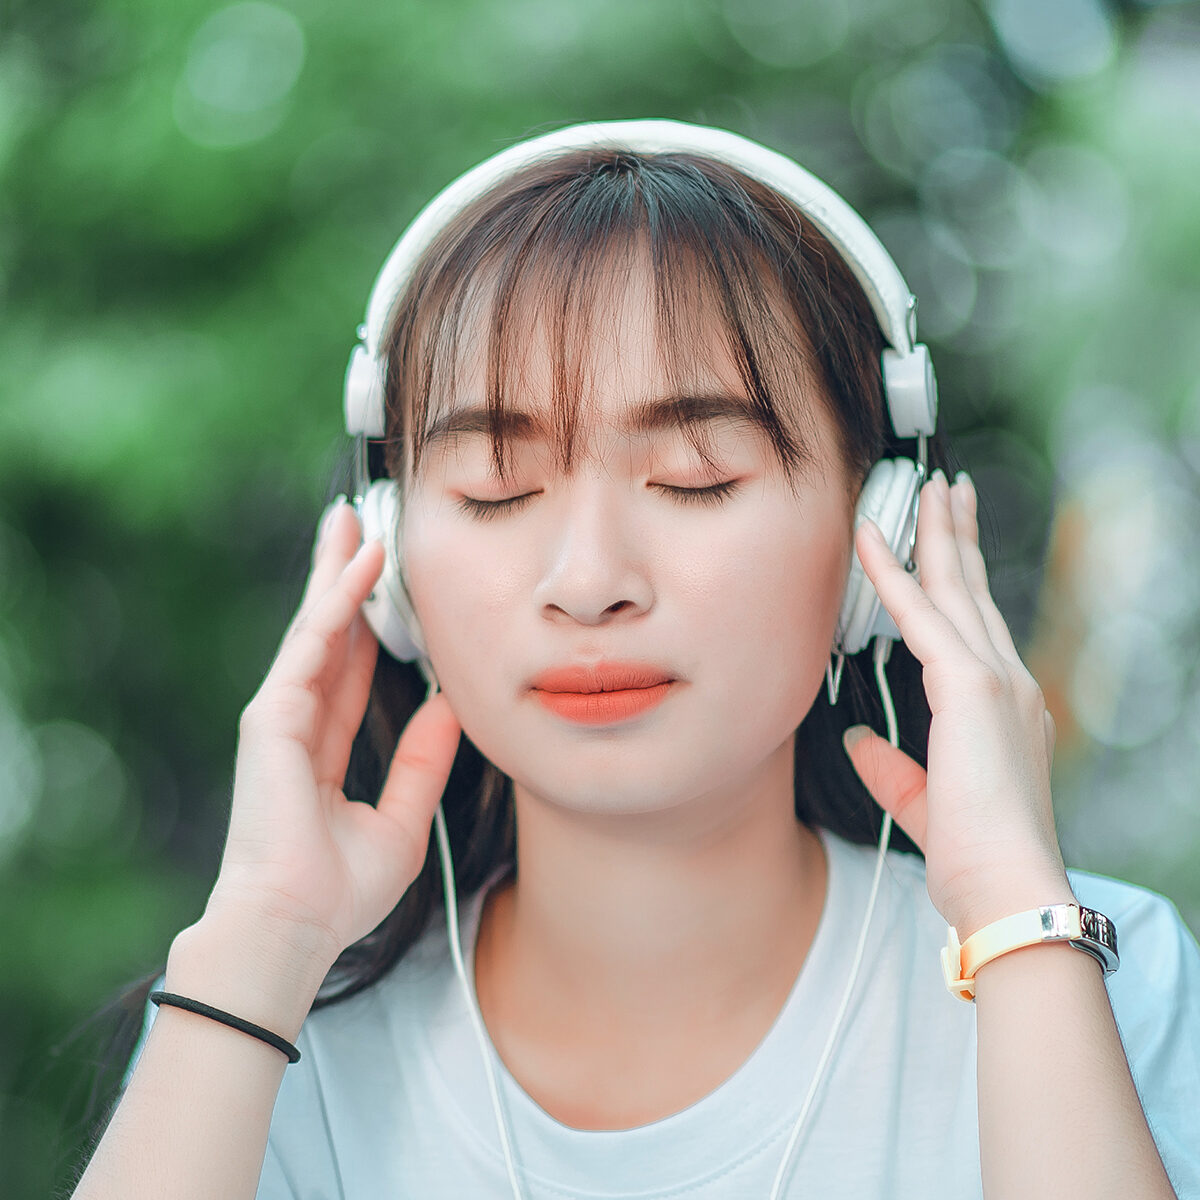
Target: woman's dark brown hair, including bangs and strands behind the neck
[[791, 309]]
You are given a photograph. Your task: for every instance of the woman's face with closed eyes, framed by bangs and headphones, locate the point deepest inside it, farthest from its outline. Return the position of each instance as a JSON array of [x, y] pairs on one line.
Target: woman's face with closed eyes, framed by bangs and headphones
[[736, 601]]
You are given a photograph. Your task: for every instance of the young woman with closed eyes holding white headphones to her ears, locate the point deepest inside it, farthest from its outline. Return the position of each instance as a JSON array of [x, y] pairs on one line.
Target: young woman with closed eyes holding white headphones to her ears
[[645, 440]]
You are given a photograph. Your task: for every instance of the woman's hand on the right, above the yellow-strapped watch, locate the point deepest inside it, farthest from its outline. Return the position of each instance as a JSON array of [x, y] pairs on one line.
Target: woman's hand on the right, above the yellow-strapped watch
[[982, 813]]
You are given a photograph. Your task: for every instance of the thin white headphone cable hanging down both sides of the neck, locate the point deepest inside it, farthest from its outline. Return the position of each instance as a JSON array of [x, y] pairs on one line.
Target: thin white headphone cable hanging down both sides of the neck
[[881, 652]]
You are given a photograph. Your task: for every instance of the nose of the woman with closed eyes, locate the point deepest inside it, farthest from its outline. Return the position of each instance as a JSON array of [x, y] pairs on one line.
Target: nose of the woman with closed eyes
[[596, 566]]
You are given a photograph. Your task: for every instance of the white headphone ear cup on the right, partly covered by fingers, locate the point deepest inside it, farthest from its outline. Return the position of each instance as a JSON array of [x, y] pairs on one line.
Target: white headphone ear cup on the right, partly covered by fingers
[[889, 499]]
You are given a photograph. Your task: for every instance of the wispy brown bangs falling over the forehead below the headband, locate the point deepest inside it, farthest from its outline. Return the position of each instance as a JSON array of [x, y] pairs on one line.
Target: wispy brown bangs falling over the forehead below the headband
[[549, 254]]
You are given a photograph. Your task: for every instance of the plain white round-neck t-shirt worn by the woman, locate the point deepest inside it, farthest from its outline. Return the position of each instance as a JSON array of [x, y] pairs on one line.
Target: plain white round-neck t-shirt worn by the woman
[[391, 1100]]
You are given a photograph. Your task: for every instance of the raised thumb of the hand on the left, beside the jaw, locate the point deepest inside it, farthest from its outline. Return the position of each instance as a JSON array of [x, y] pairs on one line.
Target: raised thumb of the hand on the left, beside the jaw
[[418, 777]]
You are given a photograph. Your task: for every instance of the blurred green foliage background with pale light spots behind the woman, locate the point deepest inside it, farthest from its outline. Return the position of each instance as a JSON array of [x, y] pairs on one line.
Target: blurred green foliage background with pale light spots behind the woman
[[195, 202]]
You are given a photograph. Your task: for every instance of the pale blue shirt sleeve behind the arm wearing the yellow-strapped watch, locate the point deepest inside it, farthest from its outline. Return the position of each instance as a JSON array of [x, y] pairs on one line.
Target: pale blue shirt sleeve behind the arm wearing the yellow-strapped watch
[[1156, 1001]]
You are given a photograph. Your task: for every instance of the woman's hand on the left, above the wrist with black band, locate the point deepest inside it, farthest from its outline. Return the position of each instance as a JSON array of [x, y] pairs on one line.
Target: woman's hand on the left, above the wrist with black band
[[299, 851]]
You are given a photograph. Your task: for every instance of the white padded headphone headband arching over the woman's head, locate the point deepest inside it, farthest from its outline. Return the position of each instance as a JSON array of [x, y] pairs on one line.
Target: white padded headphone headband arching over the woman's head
[[908, 374]]
